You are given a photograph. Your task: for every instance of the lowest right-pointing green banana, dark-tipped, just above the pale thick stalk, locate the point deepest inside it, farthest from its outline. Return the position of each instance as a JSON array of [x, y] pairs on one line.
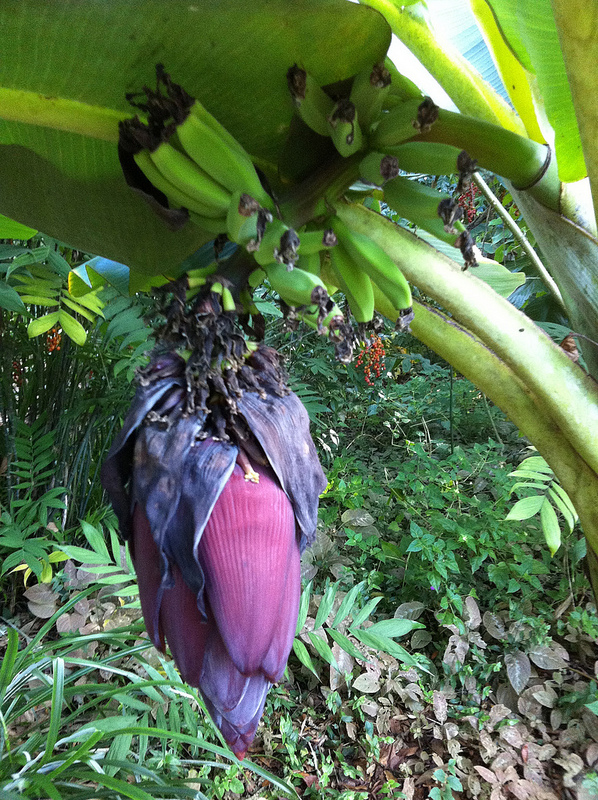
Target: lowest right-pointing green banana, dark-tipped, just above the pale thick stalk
[[419, 204]]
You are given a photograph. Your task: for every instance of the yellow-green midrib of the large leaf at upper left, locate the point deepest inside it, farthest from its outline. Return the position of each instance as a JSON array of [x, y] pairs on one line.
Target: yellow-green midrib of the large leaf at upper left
[[60, 114]]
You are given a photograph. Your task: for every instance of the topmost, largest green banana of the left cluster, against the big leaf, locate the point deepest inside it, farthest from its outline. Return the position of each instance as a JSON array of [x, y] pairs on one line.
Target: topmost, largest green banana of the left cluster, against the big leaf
[[229, 166]]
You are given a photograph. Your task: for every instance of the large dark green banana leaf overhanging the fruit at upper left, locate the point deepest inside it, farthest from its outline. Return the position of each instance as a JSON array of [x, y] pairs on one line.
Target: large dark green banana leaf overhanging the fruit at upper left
[[231, 54]]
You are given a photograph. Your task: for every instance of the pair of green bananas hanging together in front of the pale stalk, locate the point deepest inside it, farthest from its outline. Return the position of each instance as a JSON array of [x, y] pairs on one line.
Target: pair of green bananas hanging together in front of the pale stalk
[[360, 265]]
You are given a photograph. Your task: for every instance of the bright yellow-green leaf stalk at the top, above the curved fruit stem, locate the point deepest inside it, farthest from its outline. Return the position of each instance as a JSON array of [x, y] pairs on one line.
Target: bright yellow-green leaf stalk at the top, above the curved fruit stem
[[463, 84]]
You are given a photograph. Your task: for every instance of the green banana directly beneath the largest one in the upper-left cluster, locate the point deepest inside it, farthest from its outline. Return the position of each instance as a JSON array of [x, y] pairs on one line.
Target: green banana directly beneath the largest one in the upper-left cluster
[[184, 173]]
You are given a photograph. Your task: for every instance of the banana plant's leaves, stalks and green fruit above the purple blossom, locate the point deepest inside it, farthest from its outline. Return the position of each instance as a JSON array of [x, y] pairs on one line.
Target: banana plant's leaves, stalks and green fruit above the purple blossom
[[284, 84]]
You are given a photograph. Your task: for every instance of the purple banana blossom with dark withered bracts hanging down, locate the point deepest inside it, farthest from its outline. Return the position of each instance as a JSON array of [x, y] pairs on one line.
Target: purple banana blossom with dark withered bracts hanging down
[[216, 526]]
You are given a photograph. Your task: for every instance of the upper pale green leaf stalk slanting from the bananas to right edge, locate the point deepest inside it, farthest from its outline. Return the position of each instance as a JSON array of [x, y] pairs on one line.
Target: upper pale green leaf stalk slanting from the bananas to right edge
[[564, 392]]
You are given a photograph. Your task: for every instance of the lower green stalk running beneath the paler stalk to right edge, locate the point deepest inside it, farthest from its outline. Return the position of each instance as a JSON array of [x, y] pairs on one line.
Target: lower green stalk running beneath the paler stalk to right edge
[[466, 353]]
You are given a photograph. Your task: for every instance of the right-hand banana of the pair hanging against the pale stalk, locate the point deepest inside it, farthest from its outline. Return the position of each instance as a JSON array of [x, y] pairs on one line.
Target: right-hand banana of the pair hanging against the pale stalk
[[372, 260]]
